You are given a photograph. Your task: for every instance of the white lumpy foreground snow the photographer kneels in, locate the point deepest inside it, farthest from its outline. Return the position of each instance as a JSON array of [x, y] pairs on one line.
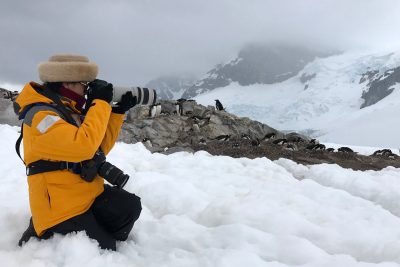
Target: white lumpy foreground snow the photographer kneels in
[[203, 210]]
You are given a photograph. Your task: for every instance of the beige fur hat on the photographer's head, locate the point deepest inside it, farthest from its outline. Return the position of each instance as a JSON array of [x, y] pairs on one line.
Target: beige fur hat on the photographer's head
[[67, 68]]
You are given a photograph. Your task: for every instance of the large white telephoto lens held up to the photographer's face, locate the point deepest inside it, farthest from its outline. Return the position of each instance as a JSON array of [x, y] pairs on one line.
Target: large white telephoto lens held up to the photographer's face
[[144, 96]]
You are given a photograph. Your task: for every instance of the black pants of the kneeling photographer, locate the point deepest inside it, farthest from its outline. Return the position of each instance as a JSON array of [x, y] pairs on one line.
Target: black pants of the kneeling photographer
[[110, 218]]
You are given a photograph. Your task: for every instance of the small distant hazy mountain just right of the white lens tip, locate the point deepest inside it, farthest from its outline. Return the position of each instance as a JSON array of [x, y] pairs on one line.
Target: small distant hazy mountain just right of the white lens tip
[[171, 87]]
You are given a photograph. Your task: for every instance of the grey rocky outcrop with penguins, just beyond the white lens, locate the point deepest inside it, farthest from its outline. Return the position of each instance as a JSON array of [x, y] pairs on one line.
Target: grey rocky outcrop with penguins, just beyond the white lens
[[185, 124]]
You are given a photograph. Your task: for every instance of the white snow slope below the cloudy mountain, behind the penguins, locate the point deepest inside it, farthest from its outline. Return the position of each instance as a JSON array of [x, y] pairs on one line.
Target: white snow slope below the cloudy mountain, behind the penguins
[[329, 108]]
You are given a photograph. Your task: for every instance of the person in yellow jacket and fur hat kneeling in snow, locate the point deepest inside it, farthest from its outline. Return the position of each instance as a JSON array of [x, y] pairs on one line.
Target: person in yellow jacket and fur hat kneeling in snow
[[62, 132]]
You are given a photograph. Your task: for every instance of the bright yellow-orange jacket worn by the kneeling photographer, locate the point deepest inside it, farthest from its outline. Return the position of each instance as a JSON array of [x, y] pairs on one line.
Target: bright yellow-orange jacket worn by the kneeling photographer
[[59, 195]]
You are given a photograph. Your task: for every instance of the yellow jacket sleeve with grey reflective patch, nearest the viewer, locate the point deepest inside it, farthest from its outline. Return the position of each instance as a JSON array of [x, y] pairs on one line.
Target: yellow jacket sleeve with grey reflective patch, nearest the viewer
[[52, 138]]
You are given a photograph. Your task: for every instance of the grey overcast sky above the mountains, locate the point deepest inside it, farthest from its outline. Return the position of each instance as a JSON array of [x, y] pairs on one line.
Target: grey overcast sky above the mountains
[[135, 41]]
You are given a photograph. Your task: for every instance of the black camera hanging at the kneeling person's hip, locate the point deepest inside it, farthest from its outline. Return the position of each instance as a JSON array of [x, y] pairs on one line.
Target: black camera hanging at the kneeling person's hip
[[99, 165]]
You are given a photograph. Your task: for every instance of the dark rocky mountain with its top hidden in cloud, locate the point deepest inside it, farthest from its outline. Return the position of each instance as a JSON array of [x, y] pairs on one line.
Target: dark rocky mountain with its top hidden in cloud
[[256, 64]]
